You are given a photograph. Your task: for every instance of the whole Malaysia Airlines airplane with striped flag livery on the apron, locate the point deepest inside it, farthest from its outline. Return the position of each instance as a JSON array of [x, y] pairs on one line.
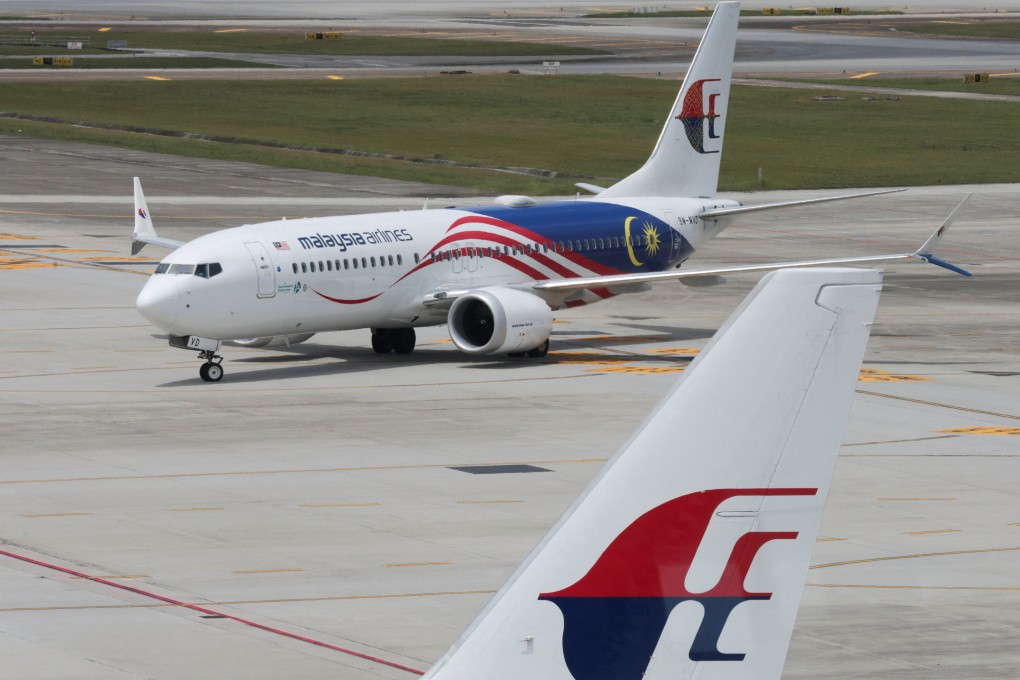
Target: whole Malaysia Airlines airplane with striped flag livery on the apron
[[495, 274]]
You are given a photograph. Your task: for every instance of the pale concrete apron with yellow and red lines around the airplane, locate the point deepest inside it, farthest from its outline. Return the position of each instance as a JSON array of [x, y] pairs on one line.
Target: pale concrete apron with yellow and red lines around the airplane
[[326, 500]]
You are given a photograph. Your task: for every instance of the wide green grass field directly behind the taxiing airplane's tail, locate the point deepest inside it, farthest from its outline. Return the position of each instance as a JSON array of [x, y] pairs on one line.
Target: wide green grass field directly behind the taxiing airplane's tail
[[597, 127]]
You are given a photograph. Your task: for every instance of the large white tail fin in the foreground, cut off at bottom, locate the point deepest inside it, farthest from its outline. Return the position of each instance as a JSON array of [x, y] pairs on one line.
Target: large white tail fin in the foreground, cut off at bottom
[[708, 504]]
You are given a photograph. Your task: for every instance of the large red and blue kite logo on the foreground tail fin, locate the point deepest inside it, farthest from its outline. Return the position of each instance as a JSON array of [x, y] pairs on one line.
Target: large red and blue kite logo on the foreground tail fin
[[616, 614]]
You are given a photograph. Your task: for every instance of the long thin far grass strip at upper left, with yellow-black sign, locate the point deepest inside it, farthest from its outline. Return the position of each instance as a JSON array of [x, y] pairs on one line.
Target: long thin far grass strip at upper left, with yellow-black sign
[[293, 42]]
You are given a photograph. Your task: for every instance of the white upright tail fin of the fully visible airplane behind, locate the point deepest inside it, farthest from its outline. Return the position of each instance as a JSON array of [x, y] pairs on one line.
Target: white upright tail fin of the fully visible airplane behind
[[686, 160]]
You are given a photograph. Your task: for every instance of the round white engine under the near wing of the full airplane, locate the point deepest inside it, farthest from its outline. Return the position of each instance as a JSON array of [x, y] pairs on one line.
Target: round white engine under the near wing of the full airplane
[[498, 321]]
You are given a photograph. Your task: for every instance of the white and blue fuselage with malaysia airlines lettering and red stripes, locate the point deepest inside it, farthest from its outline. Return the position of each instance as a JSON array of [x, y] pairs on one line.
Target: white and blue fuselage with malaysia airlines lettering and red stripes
[[374, 271]]
